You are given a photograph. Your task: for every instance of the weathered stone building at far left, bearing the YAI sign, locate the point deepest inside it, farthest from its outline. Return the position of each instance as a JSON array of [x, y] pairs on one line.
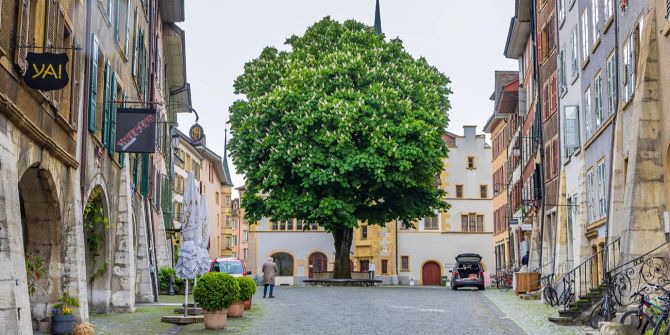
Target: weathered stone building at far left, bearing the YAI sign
[[40, 195]]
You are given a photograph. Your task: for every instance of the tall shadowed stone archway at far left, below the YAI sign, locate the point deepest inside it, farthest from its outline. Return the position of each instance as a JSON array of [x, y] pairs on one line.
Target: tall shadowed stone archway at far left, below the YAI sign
[[42, 236]]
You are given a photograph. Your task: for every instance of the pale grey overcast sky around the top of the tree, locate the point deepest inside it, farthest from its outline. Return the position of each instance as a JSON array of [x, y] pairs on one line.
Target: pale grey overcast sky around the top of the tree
[[462, 38]]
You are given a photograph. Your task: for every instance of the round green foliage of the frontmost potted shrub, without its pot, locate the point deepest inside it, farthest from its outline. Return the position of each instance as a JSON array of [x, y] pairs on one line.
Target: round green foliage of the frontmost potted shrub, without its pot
[[216, 291]]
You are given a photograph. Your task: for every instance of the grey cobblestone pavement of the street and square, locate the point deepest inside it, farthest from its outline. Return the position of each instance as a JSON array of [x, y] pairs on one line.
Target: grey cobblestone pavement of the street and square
[[350, 310]]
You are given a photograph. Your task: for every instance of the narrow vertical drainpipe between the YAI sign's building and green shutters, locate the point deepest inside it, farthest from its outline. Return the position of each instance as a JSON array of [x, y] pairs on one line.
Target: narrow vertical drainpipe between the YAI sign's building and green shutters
[[87, 84]]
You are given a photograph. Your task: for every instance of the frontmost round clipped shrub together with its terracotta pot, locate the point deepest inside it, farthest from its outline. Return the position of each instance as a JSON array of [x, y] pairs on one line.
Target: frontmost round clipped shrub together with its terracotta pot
[[215, 292]]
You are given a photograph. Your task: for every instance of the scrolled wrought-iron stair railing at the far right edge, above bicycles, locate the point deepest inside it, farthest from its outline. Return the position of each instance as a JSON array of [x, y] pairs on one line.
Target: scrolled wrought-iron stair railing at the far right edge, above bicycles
[[641, 273]]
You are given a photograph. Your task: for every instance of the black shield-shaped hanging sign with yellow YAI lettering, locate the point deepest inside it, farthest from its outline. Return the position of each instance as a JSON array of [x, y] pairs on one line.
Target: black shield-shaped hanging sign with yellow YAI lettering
[[46, 71]]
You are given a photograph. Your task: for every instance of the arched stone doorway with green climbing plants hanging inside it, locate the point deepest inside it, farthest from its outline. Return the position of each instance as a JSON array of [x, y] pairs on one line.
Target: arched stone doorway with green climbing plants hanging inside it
[[97, 244]]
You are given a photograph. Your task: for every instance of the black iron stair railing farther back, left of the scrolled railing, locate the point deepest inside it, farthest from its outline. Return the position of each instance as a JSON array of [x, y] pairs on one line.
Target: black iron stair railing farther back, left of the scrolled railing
[[583, 279]]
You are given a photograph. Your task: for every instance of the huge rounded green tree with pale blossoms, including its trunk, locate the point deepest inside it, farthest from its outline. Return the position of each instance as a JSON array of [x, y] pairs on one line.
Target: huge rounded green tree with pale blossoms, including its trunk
[[344, 127]]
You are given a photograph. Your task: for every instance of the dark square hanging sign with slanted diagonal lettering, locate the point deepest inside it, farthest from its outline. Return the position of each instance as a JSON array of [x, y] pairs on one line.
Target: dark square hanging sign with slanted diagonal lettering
[[136, 130]]
